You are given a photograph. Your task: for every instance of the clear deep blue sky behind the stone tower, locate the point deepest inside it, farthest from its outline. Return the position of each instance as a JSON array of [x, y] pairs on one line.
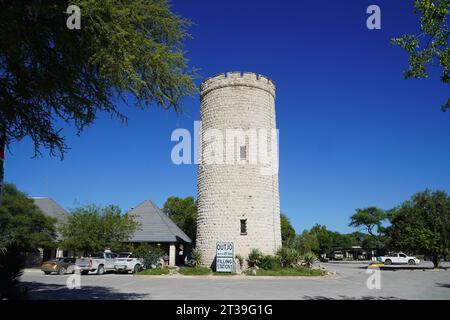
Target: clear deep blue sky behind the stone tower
[[353, 132]]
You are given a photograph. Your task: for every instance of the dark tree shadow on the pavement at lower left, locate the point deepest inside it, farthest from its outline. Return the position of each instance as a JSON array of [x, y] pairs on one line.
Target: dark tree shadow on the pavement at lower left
[[44, 291]]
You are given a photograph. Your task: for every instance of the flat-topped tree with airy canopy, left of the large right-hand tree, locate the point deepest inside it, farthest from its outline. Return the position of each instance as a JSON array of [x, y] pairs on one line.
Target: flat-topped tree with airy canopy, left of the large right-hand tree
[[369, 220]]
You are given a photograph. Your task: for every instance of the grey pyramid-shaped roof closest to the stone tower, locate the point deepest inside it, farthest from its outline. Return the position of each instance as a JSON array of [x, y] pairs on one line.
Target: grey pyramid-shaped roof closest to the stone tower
[[156, 226]]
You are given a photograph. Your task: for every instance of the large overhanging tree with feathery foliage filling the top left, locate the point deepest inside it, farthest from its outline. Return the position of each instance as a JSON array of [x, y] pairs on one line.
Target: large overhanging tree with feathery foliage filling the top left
[[124, 51]]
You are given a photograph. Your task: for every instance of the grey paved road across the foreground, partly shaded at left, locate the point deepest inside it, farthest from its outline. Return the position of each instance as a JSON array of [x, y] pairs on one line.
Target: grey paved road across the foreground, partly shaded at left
[[349, 283]]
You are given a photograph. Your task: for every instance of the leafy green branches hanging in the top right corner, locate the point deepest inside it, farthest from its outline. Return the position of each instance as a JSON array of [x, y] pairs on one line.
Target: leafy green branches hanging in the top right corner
[[430, 47]]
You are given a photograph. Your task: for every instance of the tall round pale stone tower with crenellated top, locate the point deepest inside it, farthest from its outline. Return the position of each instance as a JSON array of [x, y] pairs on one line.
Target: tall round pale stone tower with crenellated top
[[238, 201]]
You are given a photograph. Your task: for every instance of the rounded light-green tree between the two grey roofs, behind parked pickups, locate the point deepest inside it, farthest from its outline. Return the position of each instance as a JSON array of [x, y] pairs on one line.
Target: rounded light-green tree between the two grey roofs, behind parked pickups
[[93, 228]]
